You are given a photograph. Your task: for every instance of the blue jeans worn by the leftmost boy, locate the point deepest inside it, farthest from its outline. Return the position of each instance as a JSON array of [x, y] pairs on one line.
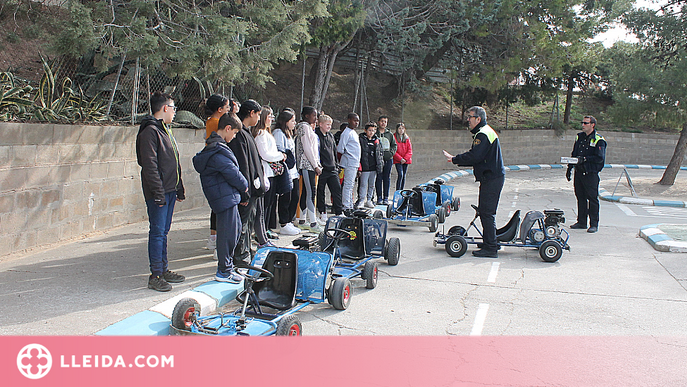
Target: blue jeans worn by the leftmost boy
[[160, 221]]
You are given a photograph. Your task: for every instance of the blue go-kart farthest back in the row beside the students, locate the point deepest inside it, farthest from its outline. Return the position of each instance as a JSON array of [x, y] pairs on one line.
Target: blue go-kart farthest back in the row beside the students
[[430, 203]]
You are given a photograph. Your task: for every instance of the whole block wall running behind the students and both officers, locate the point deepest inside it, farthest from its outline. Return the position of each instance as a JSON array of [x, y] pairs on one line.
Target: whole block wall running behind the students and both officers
[[59, 182]]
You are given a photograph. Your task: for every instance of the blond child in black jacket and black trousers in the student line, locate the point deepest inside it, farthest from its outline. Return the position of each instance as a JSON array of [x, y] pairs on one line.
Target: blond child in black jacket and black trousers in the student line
[[330, 169]]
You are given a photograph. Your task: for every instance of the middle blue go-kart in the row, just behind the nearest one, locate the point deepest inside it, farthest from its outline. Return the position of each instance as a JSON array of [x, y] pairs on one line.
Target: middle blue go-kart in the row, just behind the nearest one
[[355, 242]]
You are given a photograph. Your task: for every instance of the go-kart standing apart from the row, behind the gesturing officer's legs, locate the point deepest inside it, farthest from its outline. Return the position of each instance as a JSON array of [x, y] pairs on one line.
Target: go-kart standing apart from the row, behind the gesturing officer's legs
[[539, 231]]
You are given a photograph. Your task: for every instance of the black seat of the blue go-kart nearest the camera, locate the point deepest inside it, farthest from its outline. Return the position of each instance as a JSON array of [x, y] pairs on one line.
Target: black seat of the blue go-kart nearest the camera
[[280, 291]]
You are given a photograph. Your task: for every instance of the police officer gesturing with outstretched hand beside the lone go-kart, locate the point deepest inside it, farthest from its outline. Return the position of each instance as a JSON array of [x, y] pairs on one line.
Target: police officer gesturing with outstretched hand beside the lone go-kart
[[485, 158]]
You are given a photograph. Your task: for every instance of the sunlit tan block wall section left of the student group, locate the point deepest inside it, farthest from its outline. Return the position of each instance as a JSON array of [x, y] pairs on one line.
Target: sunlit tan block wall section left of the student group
[[59, 182]]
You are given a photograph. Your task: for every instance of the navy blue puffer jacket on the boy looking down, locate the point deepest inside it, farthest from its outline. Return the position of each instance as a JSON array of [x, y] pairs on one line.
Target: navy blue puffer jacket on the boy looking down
[[223, 184]]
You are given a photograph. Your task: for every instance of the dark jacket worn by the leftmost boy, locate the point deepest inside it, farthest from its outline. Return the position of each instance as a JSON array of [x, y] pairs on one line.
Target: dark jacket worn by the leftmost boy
[[158, 156]]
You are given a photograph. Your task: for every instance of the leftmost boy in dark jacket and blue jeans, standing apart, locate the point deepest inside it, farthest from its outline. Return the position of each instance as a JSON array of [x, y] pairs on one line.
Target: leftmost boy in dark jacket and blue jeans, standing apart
[[158, 156]]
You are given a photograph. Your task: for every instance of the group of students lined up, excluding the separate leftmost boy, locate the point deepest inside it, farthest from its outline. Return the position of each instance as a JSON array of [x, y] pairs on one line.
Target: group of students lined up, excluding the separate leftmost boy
[[298, 161]]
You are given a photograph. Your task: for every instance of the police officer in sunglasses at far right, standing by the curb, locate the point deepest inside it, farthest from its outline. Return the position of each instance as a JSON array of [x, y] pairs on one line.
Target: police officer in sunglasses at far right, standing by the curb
[[590, 150]]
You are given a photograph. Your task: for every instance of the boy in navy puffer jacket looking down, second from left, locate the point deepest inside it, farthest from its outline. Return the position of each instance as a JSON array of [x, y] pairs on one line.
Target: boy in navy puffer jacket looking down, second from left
[[225, 187]]
